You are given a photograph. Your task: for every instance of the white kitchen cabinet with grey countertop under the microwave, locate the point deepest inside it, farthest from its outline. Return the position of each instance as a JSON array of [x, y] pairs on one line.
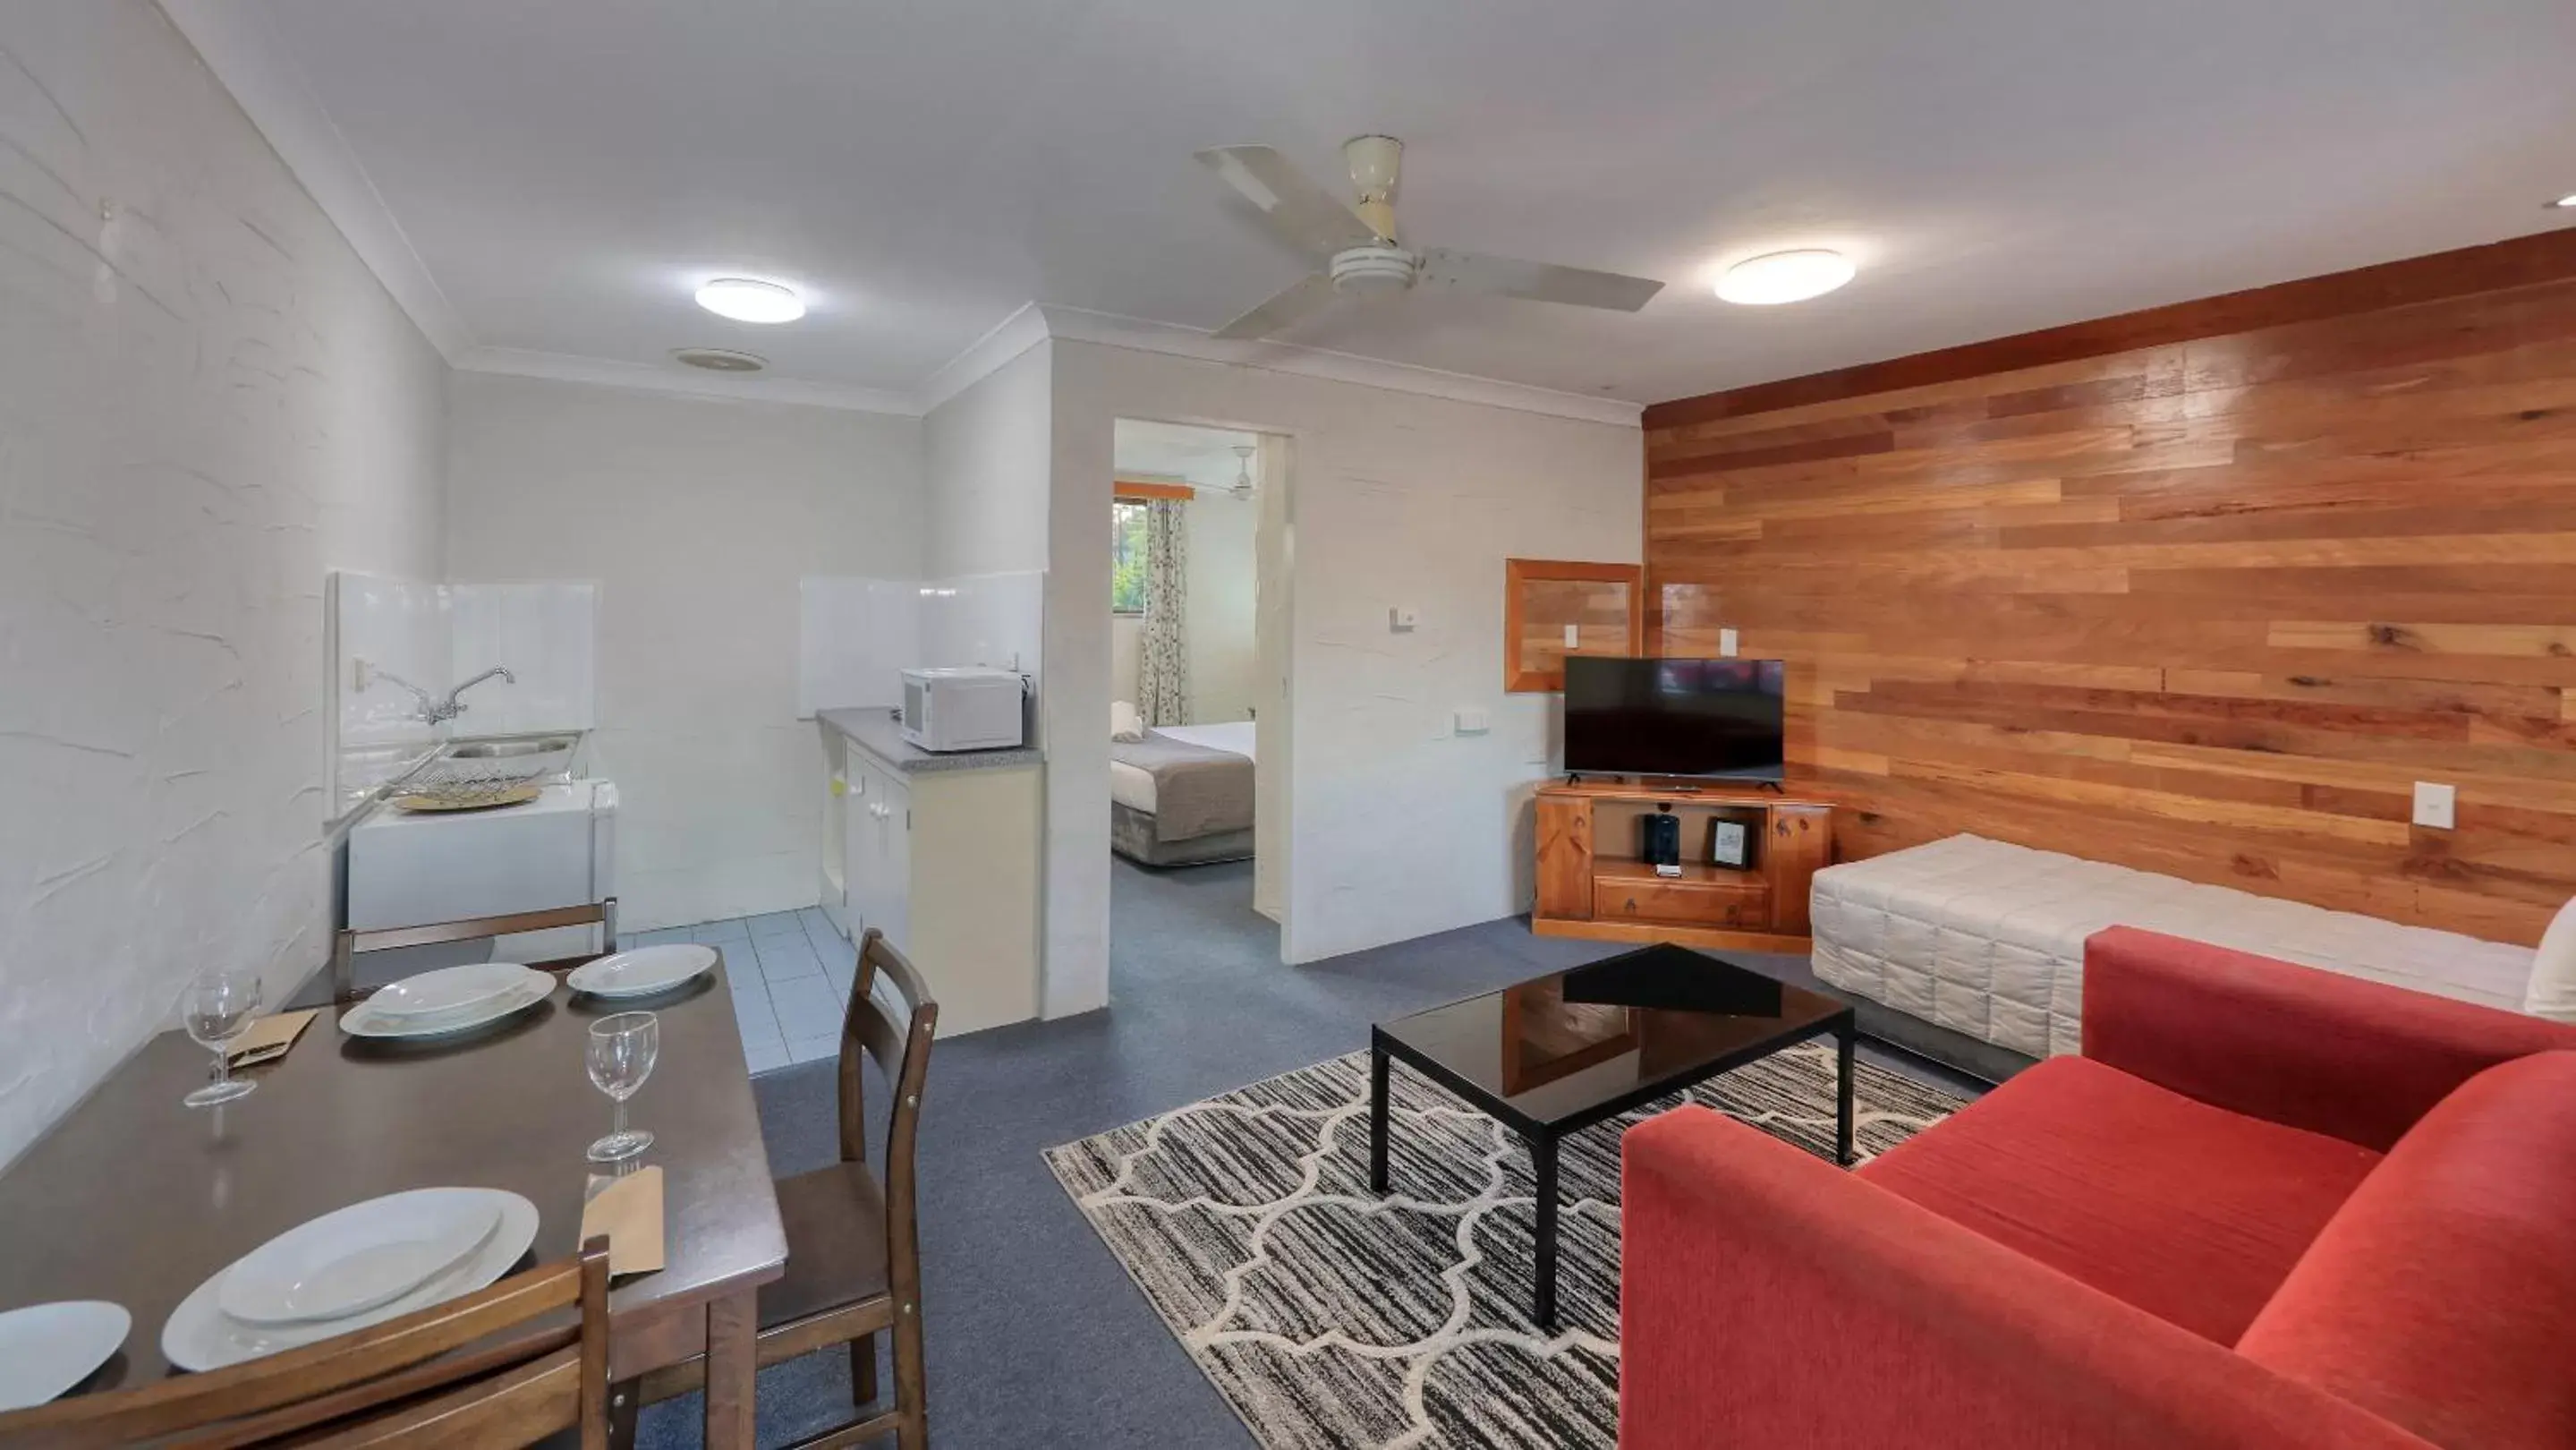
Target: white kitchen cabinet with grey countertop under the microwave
[[942, 856]]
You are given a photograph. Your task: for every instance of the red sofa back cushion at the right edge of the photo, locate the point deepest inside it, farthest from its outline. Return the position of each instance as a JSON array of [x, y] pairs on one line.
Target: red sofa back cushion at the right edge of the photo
[[2443, 1297]]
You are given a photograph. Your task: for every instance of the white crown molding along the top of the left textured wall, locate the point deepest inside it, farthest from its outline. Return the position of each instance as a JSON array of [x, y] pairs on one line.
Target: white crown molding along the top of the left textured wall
[[264, 81]]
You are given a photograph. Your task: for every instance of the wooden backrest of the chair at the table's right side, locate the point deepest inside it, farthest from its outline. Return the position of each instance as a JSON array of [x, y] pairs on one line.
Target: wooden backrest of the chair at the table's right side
[[893, 1021]]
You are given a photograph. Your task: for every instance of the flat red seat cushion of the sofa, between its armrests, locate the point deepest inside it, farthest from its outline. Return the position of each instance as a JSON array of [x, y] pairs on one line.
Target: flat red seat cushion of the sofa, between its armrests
[[2181, 1209]]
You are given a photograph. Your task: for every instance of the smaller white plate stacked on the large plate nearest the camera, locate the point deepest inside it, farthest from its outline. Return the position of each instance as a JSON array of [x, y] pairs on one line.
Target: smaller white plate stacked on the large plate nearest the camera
[[357, 1258]]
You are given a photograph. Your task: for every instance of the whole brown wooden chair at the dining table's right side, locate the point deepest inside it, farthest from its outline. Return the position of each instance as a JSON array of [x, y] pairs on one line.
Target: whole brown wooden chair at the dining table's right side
[[854, 1245]]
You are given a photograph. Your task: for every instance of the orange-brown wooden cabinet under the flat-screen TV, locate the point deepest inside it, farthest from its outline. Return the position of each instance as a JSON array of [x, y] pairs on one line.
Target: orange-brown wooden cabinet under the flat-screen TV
[[1593, 880]]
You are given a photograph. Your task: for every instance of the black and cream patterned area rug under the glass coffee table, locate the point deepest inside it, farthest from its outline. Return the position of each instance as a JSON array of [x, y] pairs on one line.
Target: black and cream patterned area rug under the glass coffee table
[[1336, 1320]]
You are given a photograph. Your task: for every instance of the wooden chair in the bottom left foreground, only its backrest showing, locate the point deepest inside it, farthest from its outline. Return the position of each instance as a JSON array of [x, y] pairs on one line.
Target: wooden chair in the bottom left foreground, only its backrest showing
[[473, 1371]]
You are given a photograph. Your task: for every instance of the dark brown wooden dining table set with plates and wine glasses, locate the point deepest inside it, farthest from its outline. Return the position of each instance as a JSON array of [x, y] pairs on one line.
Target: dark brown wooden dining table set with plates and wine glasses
[[138, 1199]]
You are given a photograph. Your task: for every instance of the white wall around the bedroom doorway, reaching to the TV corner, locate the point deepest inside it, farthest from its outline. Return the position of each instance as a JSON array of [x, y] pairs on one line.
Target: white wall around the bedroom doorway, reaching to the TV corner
[[1400, 828]]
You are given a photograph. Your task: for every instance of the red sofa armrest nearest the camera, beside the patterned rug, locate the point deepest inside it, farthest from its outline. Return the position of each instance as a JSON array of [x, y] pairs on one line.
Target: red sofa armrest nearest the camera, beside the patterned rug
[[1771, 1299]]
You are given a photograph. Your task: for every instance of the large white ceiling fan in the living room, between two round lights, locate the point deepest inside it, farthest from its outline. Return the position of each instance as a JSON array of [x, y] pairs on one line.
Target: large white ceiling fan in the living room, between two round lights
[[1361, 254]]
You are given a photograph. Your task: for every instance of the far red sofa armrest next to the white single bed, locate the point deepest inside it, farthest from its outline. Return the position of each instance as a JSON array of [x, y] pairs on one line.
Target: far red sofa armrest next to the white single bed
[[2291, 1044]]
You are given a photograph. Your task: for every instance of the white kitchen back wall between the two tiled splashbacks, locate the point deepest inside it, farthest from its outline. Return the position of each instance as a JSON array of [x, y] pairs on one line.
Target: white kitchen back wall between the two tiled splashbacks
[[697, 516]]
